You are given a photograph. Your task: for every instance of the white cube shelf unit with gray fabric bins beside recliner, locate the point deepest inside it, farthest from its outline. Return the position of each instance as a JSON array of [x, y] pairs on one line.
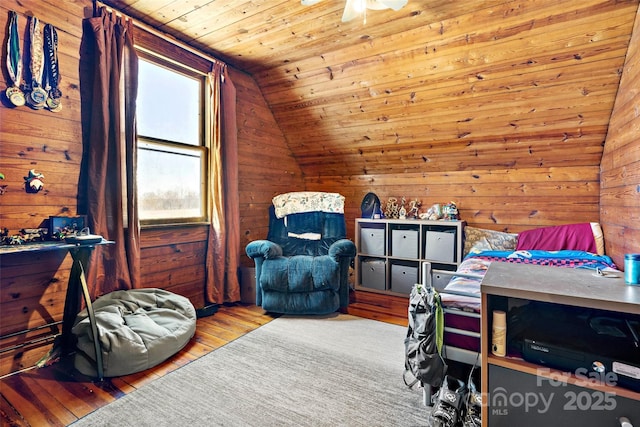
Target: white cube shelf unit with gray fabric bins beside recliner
[[390, 252]]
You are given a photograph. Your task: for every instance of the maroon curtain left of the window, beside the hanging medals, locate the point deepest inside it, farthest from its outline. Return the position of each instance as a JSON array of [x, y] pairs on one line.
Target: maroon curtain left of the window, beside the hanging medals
[[106, 194]]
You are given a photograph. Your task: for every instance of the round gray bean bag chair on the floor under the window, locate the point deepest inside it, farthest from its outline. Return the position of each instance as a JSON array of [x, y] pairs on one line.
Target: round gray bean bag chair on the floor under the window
[[138, 329]]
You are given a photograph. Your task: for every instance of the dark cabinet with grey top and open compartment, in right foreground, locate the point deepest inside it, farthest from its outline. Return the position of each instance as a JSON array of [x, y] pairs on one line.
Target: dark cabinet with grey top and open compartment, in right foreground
[[522, 393]]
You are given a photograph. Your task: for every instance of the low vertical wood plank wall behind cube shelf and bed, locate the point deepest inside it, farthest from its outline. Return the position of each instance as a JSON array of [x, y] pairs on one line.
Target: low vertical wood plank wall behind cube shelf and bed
[[510, 200]]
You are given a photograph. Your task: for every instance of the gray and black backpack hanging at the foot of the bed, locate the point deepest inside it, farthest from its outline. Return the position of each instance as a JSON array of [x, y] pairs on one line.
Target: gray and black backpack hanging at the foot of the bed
[[423, 344]]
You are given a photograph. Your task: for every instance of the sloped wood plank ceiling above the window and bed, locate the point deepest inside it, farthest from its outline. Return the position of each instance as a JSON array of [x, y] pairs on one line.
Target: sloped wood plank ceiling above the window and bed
[[441, 85]]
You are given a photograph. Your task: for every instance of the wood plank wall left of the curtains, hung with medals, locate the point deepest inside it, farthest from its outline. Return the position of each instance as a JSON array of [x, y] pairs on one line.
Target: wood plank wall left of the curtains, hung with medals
[[32, 288]]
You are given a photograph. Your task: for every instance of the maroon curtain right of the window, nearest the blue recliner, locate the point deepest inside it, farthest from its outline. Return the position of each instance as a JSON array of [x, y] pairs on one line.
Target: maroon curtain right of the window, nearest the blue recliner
[[223, 246]]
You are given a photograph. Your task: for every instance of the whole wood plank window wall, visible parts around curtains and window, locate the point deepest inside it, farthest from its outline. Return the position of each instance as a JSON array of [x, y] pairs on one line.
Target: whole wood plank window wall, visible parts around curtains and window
[[32, 288]]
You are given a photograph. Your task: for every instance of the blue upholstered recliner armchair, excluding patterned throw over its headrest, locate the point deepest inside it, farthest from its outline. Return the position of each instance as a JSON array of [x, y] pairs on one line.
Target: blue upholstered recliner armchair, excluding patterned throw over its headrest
[[303, 266]]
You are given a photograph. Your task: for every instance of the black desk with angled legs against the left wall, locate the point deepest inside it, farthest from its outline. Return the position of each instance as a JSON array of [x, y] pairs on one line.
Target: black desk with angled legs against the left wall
[[80, 253]]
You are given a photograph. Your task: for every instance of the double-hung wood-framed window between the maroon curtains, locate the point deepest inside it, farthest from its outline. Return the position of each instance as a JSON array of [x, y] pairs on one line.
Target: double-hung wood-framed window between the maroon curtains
[[172, 150]]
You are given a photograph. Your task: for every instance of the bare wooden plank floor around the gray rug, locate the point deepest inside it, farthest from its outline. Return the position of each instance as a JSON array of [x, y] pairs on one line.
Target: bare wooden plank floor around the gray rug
[[58, 395]]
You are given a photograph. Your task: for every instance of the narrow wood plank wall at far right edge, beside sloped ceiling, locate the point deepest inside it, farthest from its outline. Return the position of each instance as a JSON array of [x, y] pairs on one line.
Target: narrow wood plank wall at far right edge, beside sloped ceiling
[[620, 168]]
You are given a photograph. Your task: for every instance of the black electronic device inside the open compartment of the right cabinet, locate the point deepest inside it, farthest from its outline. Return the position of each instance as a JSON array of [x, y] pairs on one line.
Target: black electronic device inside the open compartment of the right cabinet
[[594, 346]]
